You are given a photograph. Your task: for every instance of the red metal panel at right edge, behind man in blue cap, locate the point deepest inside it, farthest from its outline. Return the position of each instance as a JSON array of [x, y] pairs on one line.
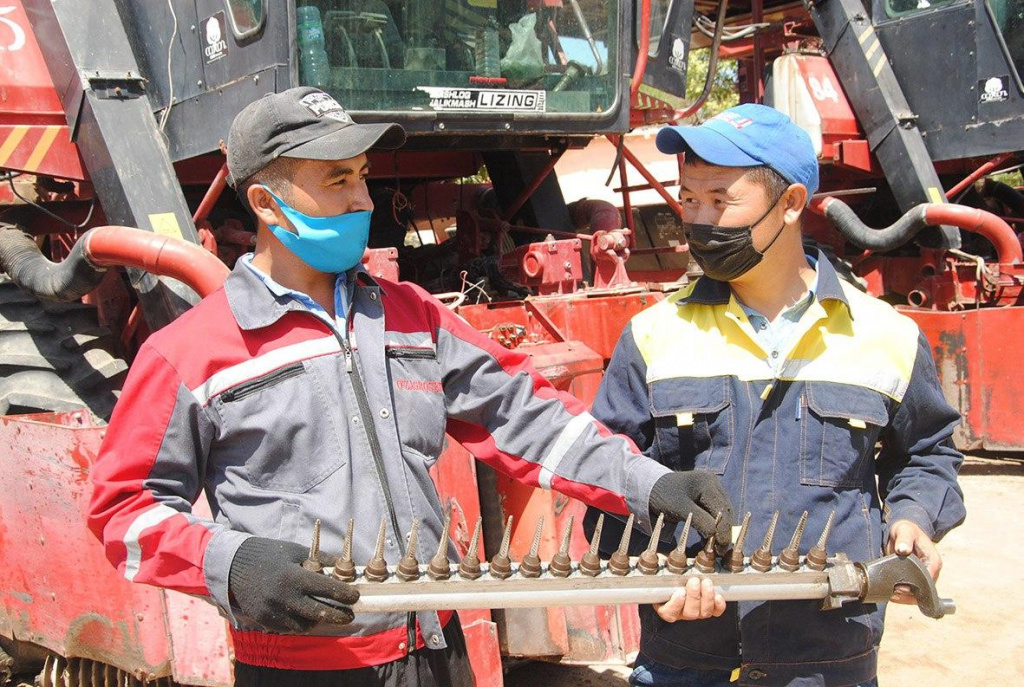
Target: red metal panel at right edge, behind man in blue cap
[[977, 355]]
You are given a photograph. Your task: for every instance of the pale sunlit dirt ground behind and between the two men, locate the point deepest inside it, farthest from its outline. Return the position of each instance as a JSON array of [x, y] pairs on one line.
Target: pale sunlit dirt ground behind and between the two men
[[984, 573]]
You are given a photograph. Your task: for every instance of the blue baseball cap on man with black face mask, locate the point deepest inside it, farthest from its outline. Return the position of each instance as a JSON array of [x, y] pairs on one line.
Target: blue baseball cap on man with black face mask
[[749, 136]]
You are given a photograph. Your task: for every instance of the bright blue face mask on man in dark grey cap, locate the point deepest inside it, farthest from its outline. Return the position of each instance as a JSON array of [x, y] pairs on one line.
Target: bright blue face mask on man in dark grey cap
[[330, 245]]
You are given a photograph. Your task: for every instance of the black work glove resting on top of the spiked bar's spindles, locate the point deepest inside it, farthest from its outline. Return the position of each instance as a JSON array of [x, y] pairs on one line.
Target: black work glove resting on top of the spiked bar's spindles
[[679, 494]]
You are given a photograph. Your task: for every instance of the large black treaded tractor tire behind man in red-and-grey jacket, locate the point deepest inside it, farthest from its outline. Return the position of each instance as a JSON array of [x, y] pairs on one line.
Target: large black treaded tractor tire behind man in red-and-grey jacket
[[55, 357]]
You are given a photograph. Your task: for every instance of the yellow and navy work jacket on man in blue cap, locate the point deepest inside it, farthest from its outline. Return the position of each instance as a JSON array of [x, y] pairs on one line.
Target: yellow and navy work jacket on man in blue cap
[[691, 383]]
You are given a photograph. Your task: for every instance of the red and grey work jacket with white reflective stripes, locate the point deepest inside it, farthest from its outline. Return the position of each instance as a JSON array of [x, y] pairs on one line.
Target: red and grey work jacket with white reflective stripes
[[284, 419]]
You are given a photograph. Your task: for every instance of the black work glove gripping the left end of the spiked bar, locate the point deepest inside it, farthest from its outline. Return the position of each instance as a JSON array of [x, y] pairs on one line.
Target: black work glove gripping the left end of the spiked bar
[[270, 585]]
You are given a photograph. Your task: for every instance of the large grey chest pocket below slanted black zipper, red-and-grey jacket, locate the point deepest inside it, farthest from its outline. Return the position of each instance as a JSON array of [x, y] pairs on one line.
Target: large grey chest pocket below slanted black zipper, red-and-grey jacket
[[272, 425]]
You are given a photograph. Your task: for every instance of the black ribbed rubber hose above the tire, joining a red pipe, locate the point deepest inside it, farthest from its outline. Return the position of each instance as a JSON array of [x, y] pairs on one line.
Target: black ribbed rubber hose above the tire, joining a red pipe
[[29, 269]]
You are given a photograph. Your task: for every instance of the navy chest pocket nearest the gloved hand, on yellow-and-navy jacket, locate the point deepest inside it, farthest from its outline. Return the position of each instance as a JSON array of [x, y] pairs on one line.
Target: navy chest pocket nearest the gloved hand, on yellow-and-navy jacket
[[695, 422]]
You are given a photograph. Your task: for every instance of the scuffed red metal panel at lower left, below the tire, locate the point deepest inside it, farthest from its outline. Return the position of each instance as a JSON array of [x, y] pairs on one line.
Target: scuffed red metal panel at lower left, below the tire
[[57, 588]]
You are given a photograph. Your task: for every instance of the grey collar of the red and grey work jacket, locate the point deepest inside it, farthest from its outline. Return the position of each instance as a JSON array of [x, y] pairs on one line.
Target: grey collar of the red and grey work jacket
[[255, 307]]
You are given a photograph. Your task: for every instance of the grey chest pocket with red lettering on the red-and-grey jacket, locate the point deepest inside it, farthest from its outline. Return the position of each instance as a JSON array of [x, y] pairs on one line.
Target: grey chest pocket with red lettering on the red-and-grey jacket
[[419, 399]]
